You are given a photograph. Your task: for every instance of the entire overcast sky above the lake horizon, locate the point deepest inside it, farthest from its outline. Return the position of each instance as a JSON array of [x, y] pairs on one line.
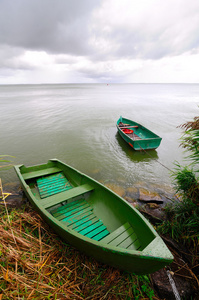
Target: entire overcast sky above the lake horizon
[[95, 41]]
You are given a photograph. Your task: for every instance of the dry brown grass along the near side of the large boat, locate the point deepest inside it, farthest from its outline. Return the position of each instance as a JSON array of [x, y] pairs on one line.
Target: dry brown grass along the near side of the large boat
[[36, 264]]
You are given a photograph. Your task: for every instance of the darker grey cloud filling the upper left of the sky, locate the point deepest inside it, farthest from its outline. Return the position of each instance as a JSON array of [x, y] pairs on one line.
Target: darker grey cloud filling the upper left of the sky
[[54, 26]]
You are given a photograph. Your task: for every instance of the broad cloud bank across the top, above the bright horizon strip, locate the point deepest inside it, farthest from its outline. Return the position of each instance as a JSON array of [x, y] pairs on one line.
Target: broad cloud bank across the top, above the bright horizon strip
[[63, 26]]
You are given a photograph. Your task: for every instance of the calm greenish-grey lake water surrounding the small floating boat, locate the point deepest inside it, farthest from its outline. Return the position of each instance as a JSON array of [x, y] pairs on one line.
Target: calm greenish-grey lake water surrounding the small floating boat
[[76, 123]]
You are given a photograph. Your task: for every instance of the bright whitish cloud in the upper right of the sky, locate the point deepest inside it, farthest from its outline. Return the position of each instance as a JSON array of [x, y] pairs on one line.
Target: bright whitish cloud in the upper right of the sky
[[147, 29]]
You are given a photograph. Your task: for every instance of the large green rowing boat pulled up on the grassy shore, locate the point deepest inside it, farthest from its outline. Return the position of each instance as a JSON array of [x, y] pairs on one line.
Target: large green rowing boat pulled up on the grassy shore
[[92, 218]]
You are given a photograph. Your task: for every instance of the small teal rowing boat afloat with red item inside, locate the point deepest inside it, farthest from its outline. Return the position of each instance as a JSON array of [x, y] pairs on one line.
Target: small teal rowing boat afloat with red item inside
[[141, 138]]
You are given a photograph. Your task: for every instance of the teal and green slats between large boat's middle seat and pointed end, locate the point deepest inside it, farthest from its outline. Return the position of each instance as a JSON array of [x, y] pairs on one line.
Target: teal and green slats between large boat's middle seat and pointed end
[[79, 216]]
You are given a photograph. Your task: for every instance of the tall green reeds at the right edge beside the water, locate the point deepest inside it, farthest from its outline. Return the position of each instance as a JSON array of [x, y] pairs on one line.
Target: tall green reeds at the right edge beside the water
[[183, 216]]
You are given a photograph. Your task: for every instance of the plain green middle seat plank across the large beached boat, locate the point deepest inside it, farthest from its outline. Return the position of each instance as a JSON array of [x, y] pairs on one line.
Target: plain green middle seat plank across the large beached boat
[[64, 196]]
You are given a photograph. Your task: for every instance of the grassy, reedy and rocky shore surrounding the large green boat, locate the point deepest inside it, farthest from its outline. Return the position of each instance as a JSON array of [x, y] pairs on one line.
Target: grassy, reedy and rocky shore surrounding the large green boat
[[36, 264]]
